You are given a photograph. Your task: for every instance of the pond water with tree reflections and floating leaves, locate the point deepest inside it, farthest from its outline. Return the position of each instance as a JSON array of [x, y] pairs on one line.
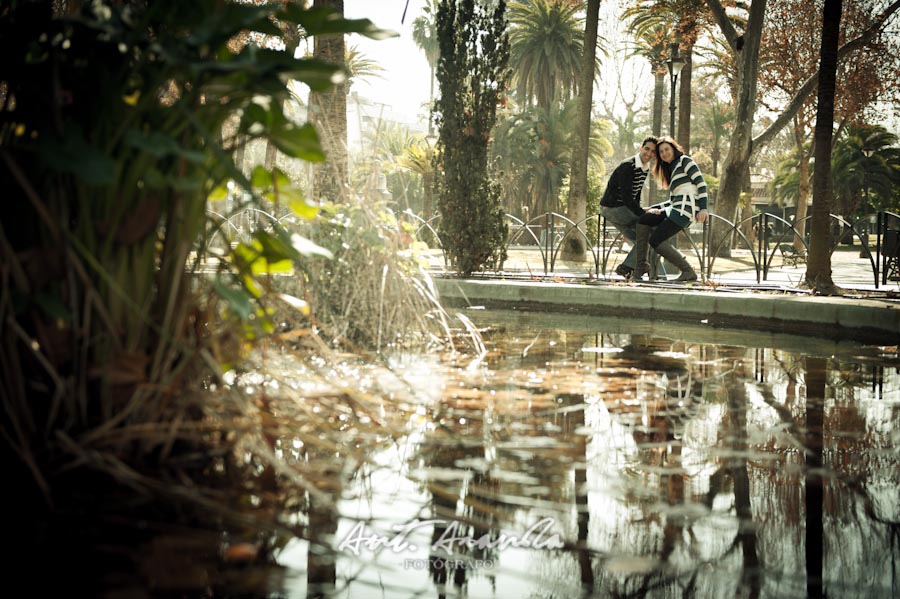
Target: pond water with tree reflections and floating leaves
[[591, 457]]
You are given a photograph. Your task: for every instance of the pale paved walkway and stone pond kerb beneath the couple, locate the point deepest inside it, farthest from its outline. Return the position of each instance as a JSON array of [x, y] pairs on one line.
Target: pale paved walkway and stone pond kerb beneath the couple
[[732, 297]]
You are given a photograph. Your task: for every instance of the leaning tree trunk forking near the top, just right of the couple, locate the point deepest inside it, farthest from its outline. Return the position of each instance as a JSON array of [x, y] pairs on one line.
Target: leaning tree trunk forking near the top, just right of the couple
[[739, 152]]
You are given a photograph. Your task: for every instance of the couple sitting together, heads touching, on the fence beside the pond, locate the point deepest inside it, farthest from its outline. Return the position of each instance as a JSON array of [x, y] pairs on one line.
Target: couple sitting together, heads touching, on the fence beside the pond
[[656, 225]]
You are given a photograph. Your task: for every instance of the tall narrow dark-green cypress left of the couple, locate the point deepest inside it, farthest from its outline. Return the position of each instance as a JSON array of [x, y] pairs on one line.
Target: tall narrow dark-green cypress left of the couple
[[473, 76]]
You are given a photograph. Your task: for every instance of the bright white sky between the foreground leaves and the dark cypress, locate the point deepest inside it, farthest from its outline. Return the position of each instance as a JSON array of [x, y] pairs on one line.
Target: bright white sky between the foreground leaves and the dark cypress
[[404, 85]]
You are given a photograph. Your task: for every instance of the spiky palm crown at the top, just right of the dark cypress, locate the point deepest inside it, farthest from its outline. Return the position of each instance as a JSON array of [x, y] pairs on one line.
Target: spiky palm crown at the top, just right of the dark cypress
[[545, 50]]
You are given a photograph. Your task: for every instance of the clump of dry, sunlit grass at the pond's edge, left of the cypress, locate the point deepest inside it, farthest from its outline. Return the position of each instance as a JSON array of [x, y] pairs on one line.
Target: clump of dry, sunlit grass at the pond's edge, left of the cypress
[[376, 294]]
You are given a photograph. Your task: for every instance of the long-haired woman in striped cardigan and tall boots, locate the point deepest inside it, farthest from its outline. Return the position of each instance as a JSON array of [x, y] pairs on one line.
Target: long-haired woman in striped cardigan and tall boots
[[679, 173]]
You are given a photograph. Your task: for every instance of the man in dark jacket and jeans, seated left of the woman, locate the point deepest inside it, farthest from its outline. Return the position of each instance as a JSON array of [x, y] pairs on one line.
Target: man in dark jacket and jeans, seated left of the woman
[[621, 202]]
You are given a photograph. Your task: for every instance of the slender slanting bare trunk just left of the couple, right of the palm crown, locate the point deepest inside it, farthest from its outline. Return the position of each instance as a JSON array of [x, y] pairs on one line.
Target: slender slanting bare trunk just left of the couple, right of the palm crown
[[574, 247]]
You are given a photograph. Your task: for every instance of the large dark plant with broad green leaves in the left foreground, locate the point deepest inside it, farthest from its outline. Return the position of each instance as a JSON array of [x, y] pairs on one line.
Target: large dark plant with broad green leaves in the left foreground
[[111, 145]]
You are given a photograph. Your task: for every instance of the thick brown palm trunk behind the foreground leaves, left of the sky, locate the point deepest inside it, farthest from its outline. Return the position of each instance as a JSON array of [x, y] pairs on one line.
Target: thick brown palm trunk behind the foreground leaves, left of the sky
[[328, 111]]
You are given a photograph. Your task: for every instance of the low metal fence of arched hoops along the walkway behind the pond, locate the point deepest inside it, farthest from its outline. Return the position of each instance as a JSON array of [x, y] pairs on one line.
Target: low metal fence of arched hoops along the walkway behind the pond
[[760, 246]]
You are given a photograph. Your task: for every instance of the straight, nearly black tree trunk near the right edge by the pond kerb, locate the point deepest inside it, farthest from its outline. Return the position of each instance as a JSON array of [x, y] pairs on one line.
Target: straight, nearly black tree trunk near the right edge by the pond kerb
[[818, 265]]
